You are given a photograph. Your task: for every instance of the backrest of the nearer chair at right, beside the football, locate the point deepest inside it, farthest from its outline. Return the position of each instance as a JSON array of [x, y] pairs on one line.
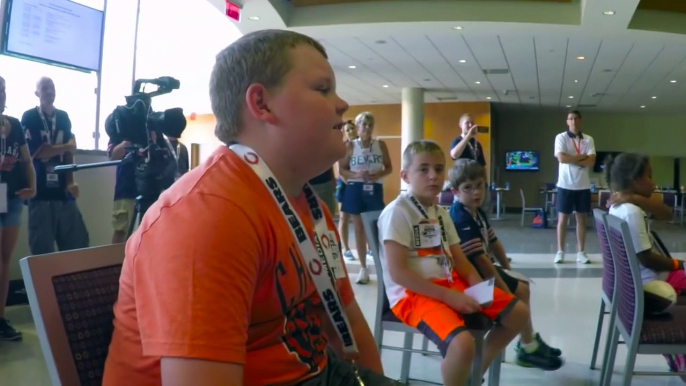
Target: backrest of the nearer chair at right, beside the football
[[629, 289]]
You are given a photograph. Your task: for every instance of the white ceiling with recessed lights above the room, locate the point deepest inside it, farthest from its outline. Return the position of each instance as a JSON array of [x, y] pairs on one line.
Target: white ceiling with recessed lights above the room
[[622, 70]]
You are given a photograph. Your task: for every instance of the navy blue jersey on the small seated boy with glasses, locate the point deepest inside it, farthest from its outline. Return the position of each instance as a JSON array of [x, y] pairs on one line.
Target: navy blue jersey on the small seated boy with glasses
[[475, 235]]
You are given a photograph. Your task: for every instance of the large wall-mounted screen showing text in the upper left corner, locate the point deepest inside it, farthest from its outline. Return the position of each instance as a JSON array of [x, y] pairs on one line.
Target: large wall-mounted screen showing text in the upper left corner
[[59, 32]]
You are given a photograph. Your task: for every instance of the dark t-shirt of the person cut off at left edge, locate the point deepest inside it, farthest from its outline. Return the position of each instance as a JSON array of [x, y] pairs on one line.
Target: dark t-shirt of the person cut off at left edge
[[11, 164]]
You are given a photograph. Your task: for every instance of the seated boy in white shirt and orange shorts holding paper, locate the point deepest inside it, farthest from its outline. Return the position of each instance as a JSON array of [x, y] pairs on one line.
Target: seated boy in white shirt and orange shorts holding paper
[[426, 272]]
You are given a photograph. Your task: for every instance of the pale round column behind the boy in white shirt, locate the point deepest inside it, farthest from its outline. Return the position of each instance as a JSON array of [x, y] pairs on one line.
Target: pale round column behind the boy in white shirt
[[412, 124]]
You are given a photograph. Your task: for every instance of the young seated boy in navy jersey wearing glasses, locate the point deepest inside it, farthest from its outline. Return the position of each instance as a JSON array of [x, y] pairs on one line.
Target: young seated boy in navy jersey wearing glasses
[[482, 248]]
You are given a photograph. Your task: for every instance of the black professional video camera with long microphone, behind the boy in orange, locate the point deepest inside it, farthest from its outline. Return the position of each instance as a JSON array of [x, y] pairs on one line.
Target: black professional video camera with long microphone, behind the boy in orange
[[150, 152]]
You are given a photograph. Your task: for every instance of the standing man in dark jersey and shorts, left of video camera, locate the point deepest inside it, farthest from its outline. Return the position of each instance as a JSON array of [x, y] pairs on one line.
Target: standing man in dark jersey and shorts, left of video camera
[[54, 216]]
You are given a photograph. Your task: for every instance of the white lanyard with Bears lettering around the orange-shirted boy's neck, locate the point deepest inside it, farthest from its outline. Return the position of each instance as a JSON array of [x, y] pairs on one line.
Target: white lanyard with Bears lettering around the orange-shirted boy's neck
[[317, 254]]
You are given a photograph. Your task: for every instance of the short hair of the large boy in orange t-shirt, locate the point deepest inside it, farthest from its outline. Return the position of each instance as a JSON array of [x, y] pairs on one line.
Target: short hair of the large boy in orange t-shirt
[[262, 57]]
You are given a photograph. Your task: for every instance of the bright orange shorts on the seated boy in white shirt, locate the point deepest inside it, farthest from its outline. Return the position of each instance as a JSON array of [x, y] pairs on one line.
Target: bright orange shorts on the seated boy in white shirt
[[440, 323]]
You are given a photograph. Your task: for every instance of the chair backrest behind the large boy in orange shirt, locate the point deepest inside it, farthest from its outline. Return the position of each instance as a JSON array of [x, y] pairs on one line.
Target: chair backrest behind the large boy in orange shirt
[[71, 295]]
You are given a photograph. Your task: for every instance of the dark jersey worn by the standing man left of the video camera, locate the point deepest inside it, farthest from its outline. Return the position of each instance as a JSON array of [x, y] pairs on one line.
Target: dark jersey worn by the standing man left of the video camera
[[39, 131]]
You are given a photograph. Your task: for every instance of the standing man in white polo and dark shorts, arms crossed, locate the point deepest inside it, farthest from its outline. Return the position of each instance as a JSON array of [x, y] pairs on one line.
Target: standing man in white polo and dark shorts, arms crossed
[[576, 153]]
